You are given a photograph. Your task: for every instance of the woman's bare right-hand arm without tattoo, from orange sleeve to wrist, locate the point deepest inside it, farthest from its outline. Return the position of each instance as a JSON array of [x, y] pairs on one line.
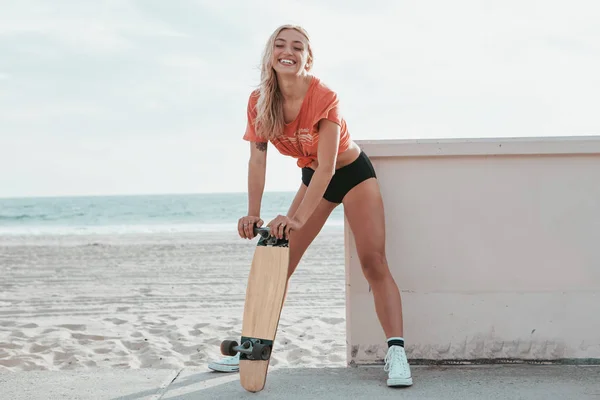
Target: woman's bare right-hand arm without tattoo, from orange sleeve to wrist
[[329, 138]]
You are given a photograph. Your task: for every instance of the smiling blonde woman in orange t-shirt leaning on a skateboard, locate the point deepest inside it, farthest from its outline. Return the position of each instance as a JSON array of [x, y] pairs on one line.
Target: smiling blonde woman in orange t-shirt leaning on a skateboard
[[300, 116]]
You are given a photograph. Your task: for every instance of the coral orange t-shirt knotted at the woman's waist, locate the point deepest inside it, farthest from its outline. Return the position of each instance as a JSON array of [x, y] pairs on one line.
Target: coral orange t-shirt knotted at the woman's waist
[[300, 138]]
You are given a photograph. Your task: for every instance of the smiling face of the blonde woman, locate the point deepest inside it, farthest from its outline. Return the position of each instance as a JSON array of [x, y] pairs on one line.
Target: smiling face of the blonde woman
[[291, 53]]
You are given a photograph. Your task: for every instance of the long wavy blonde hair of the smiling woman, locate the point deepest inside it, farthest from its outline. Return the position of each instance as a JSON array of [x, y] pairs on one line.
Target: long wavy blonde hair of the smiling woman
[[270, 122]]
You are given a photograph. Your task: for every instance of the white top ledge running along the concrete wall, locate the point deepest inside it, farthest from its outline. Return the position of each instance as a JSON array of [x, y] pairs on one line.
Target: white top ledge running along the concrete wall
[[481, 146]]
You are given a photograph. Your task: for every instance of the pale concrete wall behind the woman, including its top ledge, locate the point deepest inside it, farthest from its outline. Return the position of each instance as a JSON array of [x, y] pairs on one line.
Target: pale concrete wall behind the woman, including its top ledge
[[495, 245]]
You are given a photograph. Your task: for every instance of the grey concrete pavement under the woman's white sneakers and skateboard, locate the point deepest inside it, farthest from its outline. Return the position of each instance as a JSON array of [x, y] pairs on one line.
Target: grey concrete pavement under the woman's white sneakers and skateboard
[[366, 382]]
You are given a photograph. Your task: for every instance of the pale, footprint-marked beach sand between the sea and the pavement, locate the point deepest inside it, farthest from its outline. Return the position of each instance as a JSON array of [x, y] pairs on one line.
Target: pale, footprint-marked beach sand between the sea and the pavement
[[157, 301]]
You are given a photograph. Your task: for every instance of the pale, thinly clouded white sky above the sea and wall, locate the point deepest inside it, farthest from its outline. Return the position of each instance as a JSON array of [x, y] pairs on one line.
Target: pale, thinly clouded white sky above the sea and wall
[[122, 97]]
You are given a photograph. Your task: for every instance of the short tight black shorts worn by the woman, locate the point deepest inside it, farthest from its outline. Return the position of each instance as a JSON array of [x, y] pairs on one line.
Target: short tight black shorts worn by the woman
[[344, 178]]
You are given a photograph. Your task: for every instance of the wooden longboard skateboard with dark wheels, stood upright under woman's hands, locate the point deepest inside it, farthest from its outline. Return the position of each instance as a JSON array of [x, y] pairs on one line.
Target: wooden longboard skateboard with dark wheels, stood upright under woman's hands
[[265, 293]]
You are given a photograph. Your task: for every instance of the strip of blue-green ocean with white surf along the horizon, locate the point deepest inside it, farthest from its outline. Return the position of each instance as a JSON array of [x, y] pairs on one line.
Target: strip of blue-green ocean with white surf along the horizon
[[211, 212]]
